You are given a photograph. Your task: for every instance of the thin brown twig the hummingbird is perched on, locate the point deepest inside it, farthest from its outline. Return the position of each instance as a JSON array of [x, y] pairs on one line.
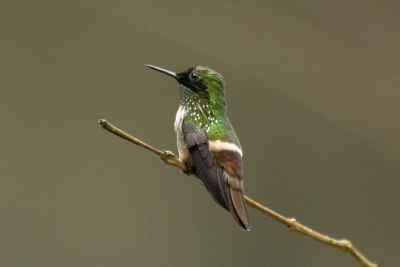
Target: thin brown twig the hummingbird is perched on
[[292, 224]]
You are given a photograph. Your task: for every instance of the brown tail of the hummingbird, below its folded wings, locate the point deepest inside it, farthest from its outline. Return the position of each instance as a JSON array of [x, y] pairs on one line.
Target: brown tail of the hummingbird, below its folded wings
[[238, 208]]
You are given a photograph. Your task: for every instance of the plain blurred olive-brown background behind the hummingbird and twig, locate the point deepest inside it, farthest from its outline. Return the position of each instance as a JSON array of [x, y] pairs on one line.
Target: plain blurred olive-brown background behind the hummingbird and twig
[[313, 93]]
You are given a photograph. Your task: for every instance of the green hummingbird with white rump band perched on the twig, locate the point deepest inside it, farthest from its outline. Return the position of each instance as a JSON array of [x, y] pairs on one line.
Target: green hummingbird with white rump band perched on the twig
[[207, 143]]
